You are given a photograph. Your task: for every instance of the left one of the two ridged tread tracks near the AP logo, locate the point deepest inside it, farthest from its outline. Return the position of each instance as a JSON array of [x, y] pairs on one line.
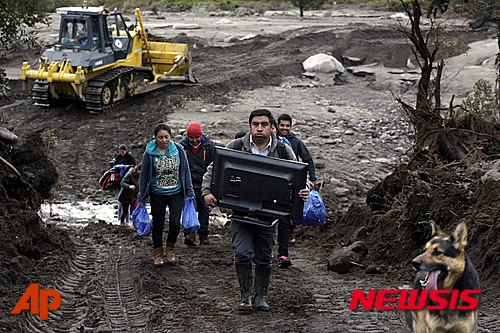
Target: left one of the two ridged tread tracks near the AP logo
[[76, 287]]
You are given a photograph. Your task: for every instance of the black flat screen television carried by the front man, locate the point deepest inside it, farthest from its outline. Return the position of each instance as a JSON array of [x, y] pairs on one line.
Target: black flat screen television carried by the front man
[[258, 188]]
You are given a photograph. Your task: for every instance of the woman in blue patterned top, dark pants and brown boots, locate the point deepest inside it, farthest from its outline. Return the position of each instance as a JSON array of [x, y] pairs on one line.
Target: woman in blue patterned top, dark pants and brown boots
[[166, 179]]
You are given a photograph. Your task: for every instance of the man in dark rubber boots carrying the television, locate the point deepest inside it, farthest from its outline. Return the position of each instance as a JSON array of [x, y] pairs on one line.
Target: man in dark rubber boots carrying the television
[[253, 242]]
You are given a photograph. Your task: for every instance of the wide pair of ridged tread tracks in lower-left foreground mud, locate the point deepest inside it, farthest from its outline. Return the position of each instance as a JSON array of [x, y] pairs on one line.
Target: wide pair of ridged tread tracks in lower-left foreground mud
[[99, 290]]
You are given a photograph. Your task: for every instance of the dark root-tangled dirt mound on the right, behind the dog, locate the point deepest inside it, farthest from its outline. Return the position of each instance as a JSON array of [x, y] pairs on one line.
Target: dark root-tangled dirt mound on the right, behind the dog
[[394, 223]]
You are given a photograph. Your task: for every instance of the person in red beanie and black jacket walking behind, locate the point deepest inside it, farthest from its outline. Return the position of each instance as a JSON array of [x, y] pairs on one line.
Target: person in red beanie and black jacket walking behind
[[200, 152]]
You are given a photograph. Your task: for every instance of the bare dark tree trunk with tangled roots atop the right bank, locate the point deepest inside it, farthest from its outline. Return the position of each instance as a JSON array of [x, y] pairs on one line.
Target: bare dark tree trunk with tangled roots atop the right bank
[[439, 138]]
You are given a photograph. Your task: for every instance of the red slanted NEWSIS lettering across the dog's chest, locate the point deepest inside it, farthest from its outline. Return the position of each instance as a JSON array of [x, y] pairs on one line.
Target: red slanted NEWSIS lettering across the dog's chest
[[387, 300]]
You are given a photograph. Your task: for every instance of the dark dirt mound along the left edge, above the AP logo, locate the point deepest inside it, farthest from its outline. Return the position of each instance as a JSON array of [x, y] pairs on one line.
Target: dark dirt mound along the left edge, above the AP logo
[[27, 243]]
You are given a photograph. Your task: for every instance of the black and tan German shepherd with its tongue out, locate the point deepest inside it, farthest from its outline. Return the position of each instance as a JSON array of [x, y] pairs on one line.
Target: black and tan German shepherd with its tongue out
[[444, 265]]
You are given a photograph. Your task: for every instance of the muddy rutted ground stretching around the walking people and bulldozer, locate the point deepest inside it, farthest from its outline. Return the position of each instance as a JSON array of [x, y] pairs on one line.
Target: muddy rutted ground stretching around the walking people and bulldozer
[[353, 128]]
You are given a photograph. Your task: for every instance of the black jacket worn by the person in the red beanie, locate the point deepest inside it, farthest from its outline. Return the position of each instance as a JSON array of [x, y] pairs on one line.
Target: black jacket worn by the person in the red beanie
[[199, 163]]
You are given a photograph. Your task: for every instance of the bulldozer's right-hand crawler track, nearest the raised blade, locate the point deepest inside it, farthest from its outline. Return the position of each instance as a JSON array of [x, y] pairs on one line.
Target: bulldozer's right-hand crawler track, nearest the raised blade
[[96, 86]]
